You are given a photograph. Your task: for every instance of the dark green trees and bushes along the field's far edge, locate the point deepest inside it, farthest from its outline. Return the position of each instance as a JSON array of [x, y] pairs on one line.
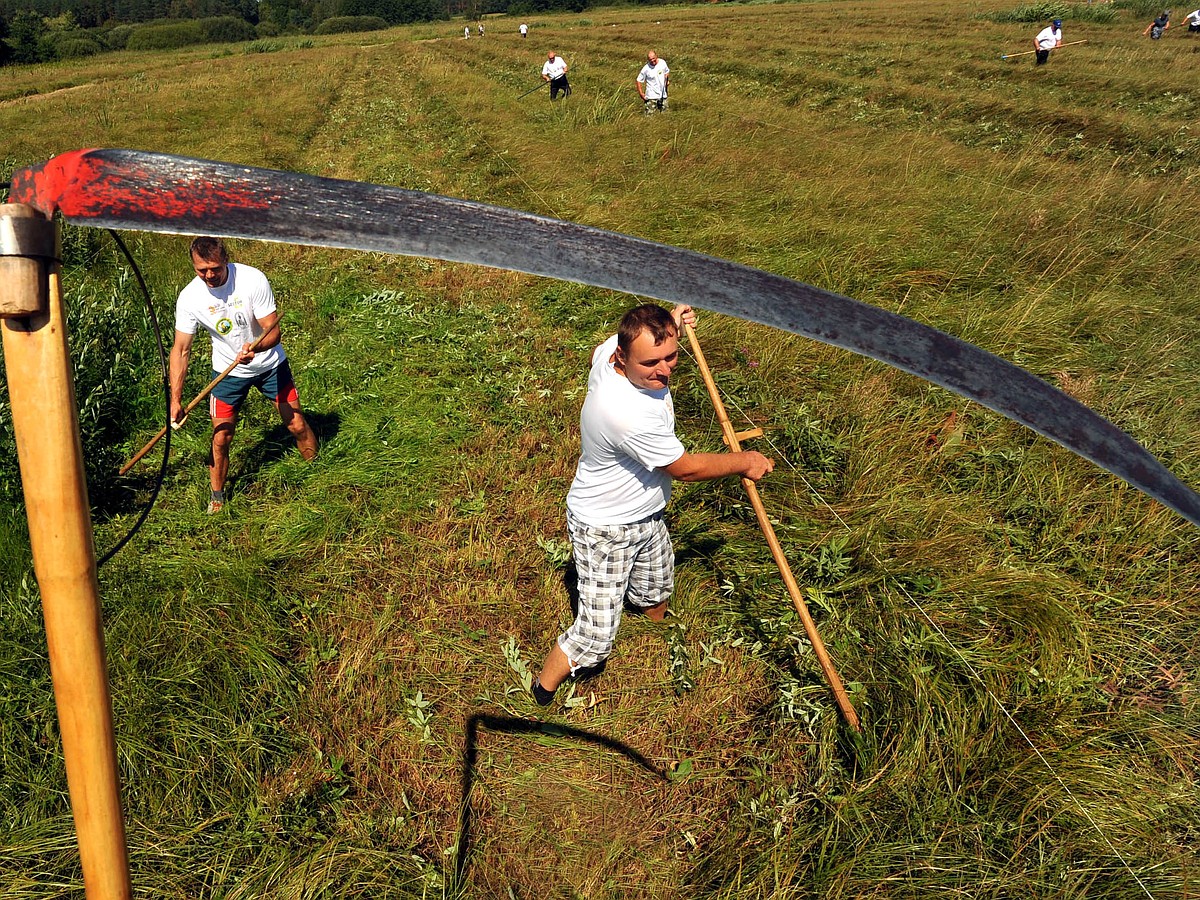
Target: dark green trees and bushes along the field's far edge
[[46, 31]]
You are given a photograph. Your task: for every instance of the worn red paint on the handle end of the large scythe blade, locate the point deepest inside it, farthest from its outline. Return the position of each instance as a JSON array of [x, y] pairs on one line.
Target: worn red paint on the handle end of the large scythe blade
[[91, 184]]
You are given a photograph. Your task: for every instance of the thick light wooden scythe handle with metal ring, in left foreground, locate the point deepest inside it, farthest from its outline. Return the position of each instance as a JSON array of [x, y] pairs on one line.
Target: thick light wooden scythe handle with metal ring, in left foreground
[[46, 424]]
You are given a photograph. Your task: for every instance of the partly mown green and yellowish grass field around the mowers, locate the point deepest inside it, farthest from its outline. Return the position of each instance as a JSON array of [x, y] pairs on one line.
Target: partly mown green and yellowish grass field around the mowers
[[320, 693]]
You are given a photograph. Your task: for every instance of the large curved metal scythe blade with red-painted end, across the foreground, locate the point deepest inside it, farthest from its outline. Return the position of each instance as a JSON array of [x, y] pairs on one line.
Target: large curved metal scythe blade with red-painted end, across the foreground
[[157, 193]]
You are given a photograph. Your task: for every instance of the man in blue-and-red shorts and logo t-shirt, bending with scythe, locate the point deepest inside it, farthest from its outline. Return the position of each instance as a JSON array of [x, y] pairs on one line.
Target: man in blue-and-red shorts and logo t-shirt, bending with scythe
[[236, 305]]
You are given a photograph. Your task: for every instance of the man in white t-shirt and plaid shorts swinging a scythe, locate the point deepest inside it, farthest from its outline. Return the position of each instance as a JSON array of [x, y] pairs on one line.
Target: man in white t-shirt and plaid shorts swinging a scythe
[[629, 455]]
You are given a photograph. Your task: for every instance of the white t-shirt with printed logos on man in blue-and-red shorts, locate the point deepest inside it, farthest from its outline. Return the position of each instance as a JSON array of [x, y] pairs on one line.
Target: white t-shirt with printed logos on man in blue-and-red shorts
[[230, 314]]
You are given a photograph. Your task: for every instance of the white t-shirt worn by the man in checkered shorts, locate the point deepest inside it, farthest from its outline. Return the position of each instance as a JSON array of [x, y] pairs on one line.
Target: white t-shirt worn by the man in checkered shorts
[[627, 435]]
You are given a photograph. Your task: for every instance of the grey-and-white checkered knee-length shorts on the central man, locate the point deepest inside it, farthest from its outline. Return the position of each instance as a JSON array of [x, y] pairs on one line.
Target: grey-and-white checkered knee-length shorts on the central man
[[615, 562]]
